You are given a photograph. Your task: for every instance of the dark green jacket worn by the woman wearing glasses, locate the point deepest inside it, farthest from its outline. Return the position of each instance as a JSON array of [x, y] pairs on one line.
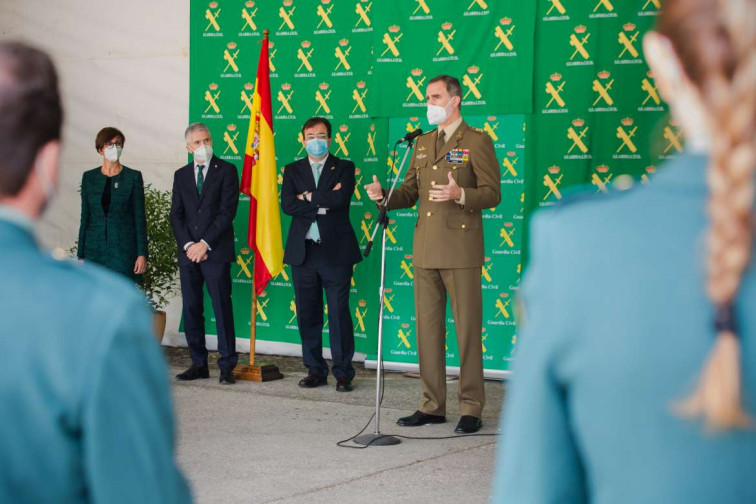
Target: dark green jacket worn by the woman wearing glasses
[[115, 240]]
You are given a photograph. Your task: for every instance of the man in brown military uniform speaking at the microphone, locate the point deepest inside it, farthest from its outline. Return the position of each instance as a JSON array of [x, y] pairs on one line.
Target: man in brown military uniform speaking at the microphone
[[453, 175]]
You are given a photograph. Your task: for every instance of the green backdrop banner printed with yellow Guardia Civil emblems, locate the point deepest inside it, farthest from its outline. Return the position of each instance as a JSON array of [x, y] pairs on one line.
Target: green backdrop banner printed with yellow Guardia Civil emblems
[[561, 87]]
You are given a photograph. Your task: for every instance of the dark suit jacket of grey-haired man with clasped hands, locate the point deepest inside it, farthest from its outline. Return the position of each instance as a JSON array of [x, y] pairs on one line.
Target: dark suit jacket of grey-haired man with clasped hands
[[208, 216]]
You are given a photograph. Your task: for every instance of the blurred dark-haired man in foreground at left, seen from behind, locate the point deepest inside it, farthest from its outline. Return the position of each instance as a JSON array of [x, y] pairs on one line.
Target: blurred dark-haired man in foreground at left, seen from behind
[[86, 411]]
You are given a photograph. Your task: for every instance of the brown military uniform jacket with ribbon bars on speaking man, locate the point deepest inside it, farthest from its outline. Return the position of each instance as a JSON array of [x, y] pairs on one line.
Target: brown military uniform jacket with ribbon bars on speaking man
[[449, 235]]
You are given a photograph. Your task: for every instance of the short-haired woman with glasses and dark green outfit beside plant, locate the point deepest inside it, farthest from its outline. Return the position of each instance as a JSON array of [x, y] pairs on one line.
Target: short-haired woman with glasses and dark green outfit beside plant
[[113, 231]]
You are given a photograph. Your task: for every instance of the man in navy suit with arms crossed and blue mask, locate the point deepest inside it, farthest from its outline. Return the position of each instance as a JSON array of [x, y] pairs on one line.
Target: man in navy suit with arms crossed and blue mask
[[322, 250]]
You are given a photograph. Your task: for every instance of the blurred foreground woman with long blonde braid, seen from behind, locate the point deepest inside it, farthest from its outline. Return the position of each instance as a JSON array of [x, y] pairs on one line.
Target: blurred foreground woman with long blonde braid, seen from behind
[[636, 378]]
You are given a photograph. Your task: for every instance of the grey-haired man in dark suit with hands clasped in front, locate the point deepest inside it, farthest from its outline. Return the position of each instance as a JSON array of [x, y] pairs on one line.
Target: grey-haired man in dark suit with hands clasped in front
[[205, 197]]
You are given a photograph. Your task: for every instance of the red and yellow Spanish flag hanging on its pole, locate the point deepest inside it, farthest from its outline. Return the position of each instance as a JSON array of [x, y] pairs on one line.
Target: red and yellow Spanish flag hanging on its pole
[[259, 180]]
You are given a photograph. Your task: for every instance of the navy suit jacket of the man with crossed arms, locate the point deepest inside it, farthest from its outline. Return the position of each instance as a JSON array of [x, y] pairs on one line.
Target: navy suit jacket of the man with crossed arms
[[336, 232]]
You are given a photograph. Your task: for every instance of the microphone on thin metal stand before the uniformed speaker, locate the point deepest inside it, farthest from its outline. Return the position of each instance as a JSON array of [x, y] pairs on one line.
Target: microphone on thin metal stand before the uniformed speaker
[[376, 438]]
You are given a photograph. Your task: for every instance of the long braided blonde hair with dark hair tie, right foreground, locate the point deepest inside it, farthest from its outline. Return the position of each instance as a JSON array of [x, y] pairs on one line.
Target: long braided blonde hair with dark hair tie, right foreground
[[716, 43]]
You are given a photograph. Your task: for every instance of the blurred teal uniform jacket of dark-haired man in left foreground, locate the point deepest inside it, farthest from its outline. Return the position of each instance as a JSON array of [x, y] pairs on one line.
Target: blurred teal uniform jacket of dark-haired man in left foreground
[[86, 412]]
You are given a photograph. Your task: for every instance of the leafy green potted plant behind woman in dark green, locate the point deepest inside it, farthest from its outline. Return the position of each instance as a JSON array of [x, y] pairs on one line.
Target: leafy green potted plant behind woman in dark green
[[160, 282]]
